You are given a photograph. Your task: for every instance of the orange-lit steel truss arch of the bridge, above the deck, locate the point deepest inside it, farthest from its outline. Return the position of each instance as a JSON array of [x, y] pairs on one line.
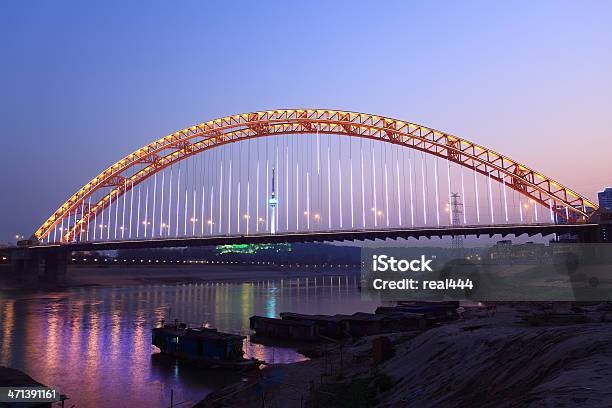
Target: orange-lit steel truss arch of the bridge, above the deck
[[145, 162]]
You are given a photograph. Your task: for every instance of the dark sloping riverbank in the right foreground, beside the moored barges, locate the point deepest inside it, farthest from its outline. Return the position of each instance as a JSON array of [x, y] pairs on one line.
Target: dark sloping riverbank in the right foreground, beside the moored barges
[[496, 361]]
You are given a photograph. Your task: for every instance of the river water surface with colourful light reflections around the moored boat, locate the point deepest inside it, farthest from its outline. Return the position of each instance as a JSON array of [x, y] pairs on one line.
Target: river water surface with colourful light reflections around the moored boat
[[95, 343]]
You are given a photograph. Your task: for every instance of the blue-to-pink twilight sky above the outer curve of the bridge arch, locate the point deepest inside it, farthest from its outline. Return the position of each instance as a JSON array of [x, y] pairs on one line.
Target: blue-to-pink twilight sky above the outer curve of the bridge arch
[[84, 84]]
